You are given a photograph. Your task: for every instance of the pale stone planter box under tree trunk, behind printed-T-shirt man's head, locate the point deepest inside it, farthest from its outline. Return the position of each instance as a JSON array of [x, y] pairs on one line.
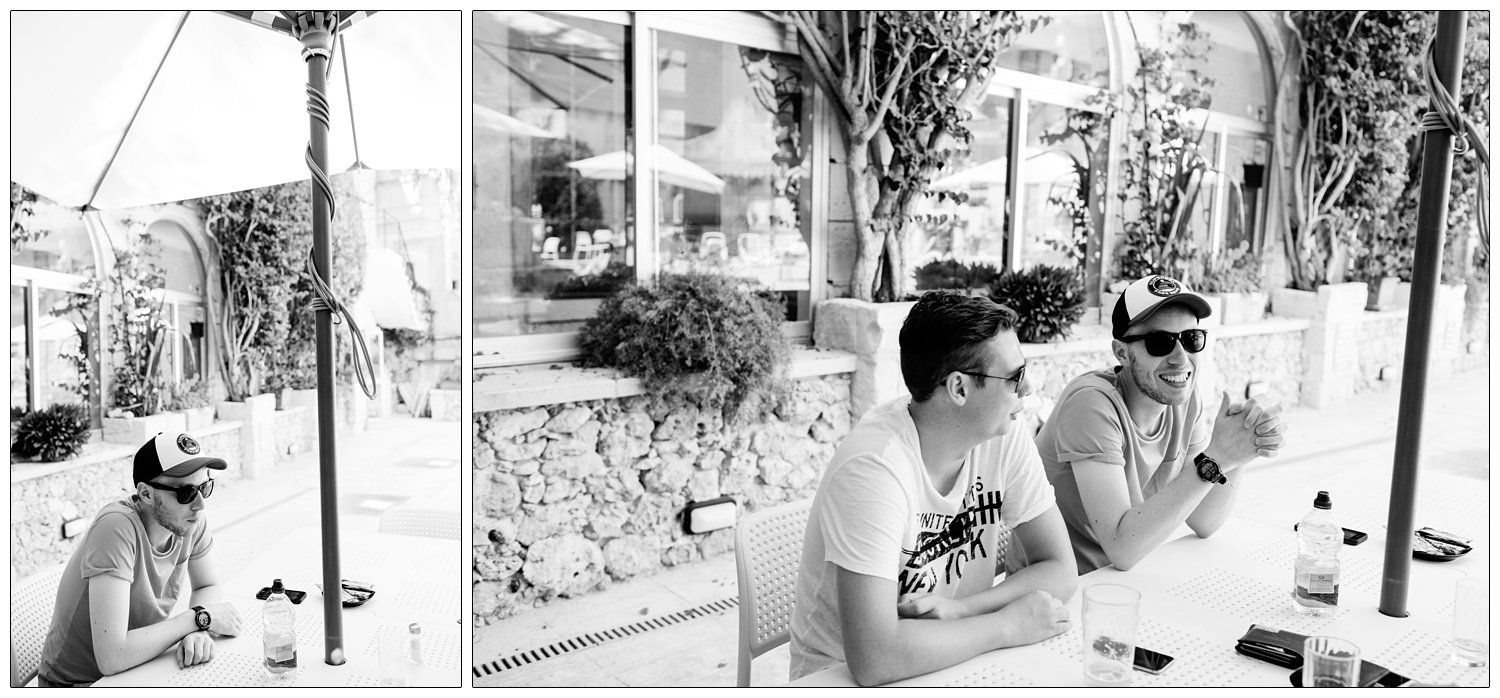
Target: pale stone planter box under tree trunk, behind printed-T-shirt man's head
[[872, 332]]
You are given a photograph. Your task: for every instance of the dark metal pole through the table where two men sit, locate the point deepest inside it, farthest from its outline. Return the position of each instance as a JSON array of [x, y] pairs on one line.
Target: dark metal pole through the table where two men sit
[[1432, 226]]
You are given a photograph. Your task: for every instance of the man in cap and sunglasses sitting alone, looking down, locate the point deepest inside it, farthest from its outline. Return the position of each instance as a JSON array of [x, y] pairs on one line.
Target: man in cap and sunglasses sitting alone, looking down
[[131, 568]]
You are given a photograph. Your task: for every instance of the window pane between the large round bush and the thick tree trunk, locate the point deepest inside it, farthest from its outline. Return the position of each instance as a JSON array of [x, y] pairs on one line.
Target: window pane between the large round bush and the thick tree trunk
[[730, 164]]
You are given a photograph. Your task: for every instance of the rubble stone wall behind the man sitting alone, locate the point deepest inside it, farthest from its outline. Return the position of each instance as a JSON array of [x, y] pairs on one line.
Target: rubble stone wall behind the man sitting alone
[[40, 507]]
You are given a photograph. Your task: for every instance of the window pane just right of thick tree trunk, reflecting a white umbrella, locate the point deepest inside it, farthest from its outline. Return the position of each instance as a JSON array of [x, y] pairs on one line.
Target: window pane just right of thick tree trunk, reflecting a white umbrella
[[973, 230]]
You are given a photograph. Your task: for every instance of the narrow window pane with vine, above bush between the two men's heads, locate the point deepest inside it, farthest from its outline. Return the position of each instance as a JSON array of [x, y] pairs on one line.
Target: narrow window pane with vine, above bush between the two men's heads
[[1063, 185]]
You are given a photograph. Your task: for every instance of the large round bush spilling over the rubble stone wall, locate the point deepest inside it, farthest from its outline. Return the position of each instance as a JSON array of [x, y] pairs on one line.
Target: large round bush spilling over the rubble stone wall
[[695, 335]]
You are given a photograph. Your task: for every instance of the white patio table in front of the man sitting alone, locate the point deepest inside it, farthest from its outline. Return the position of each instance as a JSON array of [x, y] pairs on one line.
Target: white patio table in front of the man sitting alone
[[418, 580]]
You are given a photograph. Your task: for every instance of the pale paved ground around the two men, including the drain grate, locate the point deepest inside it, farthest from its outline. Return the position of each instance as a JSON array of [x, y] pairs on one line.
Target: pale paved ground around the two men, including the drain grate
[[652, 646]]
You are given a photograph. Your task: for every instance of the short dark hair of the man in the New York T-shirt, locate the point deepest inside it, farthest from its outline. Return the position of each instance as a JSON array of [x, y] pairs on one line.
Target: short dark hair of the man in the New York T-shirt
[[943, 334]]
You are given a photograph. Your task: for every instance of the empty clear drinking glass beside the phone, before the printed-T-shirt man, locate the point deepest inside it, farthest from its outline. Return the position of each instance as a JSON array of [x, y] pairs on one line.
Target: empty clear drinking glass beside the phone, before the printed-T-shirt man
[[1111, 615]]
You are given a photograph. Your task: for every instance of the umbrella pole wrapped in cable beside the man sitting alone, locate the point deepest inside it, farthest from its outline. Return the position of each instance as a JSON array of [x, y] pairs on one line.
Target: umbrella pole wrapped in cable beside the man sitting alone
[[316, 32]]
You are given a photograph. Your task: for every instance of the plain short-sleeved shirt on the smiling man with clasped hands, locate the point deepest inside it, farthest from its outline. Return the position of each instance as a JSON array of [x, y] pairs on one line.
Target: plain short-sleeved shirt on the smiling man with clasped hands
[[1091, 423]]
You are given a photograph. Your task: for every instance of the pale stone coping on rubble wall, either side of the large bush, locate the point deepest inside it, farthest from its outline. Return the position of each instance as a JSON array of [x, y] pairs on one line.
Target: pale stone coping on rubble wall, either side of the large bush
[[556, 384]]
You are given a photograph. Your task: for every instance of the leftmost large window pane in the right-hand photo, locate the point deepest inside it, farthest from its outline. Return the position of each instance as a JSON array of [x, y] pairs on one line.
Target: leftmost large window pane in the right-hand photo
[[553, 175]]
